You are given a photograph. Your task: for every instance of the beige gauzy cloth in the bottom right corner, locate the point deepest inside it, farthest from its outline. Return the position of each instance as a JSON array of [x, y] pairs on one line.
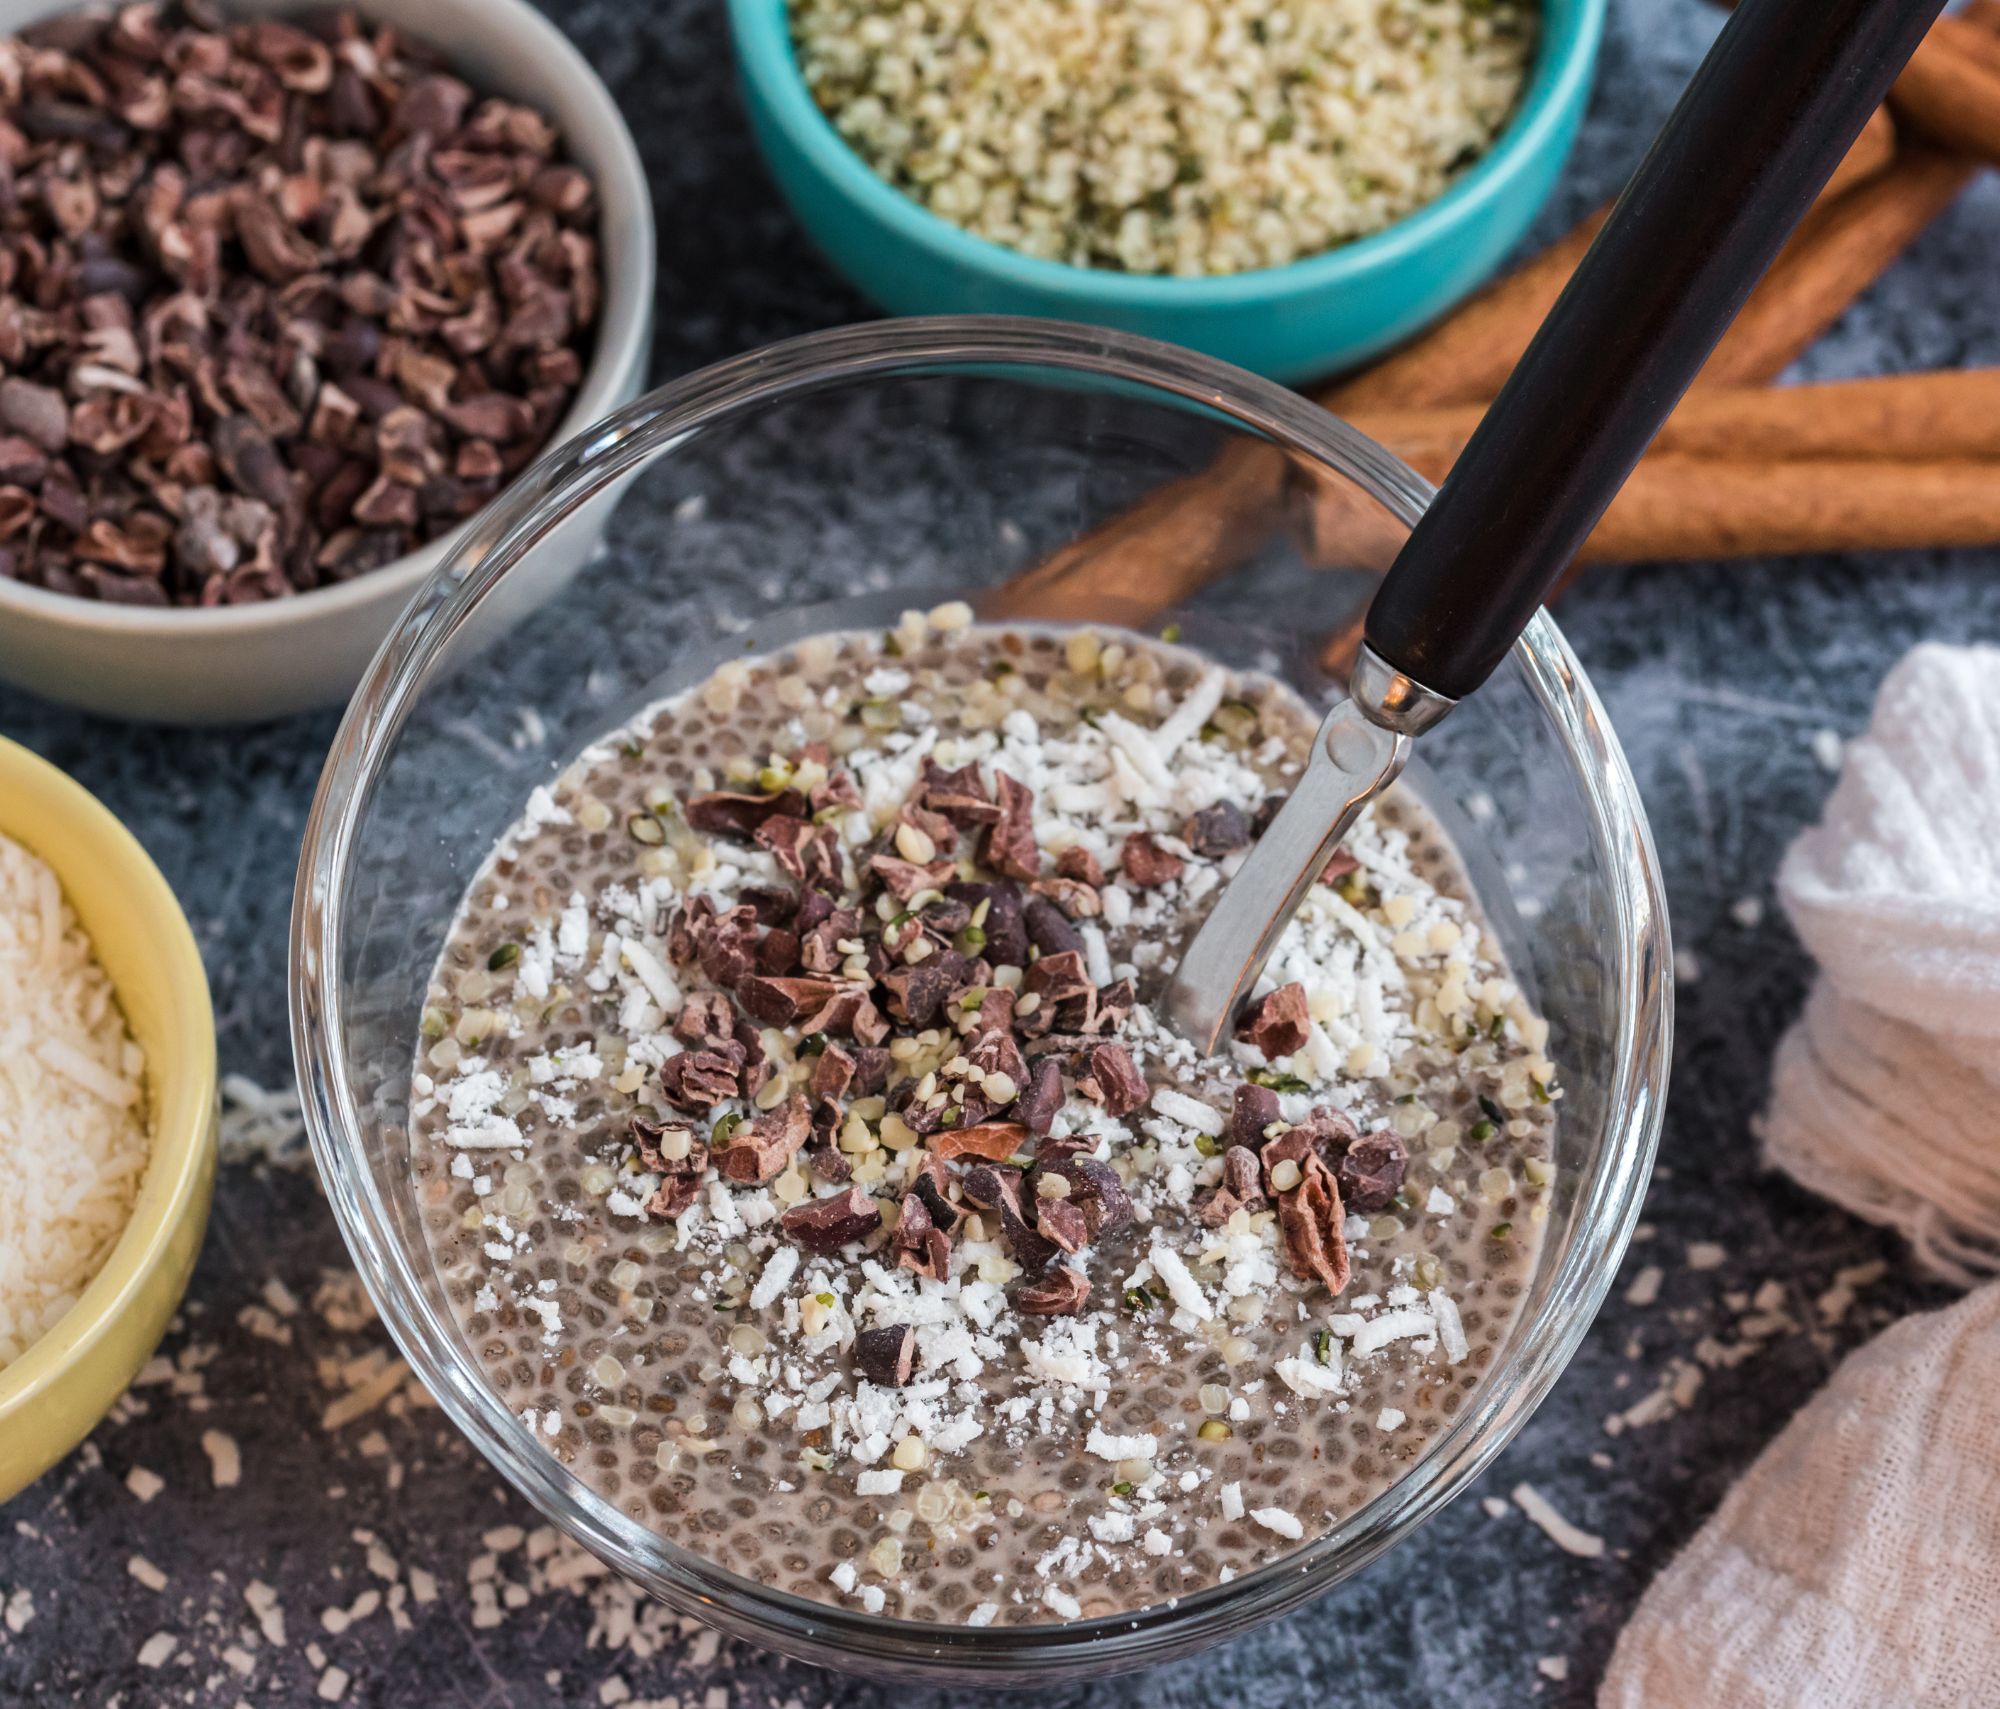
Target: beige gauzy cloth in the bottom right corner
[[1857, 1566]]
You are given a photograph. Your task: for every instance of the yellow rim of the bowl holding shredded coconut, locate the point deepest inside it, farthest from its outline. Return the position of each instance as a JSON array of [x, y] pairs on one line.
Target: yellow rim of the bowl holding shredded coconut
[[183, 1086]]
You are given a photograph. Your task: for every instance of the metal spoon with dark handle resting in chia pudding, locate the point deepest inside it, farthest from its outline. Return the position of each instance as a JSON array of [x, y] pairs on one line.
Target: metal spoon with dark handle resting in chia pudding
[[1759, 131]]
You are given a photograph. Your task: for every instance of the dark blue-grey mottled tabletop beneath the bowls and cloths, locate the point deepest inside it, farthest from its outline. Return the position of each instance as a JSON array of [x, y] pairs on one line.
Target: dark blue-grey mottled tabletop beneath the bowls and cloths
[[1719, 679]]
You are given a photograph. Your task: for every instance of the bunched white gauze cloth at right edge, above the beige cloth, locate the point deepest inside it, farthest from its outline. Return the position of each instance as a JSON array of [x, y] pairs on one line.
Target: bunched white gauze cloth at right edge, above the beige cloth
[[1885, 1096]]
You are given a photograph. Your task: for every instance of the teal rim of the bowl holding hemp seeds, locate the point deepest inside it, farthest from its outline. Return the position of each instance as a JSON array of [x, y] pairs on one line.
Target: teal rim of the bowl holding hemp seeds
[[1559, 81]]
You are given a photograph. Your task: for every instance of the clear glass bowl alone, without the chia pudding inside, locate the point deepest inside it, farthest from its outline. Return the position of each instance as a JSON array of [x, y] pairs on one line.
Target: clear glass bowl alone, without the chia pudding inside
[[1043, 471]]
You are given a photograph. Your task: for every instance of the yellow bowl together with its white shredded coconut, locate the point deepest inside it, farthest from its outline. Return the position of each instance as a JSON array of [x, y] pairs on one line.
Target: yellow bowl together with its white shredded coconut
[[107, 1112]]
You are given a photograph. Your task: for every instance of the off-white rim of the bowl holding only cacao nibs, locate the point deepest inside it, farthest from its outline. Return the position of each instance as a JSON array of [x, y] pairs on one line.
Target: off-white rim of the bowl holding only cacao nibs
[[631, 265]]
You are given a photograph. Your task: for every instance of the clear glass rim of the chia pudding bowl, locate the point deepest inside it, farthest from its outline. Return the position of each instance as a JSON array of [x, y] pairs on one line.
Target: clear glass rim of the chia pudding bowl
[[837, 1636]]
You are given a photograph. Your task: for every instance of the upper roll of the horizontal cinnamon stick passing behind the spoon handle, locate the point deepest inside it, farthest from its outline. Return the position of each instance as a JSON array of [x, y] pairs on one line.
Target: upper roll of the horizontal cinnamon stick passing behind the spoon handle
[[1901, 417]]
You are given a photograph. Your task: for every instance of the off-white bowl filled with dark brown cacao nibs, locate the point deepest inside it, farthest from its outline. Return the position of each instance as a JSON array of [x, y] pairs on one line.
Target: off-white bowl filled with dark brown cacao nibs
[[287, 295]]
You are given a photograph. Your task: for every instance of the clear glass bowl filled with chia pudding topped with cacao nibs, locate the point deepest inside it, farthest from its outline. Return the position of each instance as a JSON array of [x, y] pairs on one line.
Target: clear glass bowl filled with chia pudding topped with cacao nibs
[[751, 1108]]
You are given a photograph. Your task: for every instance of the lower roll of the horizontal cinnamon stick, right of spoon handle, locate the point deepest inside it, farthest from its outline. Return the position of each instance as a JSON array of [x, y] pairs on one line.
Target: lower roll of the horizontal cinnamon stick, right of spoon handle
[[1701, 507]]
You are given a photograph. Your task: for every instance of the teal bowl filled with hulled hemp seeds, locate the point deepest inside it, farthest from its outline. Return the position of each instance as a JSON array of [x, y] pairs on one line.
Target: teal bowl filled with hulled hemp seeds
[[1289, 187]]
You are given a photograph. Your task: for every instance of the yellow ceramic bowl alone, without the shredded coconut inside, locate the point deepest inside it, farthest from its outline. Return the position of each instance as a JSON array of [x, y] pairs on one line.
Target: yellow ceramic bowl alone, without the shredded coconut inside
[[69, 1380]]
